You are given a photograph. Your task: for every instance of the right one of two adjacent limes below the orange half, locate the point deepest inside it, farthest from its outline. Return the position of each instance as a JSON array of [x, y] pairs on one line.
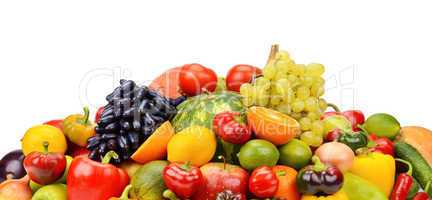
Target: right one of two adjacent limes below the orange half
[[295, 154]]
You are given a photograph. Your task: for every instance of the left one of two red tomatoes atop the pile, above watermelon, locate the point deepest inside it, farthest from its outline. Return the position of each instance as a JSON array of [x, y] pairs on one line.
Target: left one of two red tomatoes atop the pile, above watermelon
[[195, 78]]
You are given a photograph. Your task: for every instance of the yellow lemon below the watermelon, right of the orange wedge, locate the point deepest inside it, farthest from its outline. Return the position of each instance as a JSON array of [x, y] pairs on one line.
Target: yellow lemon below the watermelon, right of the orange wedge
[[195, 144]]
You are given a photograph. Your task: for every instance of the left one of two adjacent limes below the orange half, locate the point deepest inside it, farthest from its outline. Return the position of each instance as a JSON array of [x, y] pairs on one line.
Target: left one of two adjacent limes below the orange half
[[256, 153]]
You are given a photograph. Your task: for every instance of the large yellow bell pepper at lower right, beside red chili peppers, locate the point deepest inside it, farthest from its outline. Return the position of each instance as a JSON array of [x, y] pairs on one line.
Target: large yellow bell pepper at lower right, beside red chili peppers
[[377, 168]]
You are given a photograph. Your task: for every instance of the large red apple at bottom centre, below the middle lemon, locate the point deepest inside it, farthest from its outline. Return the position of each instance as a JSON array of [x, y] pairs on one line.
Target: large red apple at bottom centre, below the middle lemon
[[217, 179]]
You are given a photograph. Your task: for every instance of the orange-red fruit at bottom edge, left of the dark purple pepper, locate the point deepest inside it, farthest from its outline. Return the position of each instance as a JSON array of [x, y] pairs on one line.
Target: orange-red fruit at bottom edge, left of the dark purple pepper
[[287, 188]]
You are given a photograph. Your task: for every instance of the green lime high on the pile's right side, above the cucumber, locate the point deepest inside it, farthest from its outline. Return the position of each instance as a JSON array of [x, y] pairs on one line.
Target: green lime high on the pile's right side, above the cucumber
[[383, 125]]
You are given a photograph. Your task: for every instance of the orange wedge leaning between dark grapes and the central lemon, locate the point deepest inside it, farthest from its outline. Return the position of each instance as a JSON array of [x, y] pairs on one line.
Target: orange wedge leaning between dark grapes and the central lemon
[[155, 147]]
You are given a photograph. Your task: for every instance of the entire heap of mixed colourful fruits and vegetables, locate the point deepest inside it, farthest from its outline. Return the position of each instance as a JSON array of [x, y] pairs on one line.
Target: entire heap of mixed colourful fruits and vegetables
[[255, 134]]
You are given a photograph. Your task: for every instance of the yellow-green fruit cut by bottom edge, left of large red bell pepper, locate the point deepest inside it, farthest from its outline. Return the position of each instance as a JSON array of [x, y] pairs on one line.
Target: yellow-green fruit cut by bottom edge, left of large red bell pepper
[[51, 192]]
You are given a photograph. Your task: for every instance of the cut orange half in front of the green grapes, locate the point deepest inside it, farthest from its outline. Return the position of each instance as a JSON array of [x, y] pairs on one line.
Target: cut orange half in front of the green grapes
[[272, 125]]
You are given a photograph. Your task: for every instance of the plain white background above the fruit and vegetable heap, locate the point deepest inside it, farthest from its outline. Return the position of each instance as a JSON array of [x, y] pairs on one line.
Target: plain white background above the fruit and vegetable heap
[[48, 47]]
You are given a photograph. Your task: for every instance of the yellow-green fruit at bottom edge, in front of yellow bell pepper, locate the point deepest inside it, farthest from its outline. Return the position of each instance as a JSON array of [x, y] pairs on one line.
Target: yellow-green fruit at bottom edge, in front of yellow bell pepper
[[357, 188]]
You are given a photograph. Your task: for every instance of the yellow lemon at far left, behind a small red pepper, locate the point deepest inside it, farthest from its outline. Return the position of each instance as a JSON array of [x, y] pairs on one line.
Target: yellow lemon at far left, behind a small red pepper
[[36, 136]]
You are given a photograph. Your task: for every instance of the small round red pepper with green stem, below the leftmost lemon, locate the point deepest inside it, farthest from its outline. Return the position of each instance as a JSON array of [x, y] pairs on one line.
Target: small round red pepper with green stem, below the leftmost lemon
[[44, 168]]
